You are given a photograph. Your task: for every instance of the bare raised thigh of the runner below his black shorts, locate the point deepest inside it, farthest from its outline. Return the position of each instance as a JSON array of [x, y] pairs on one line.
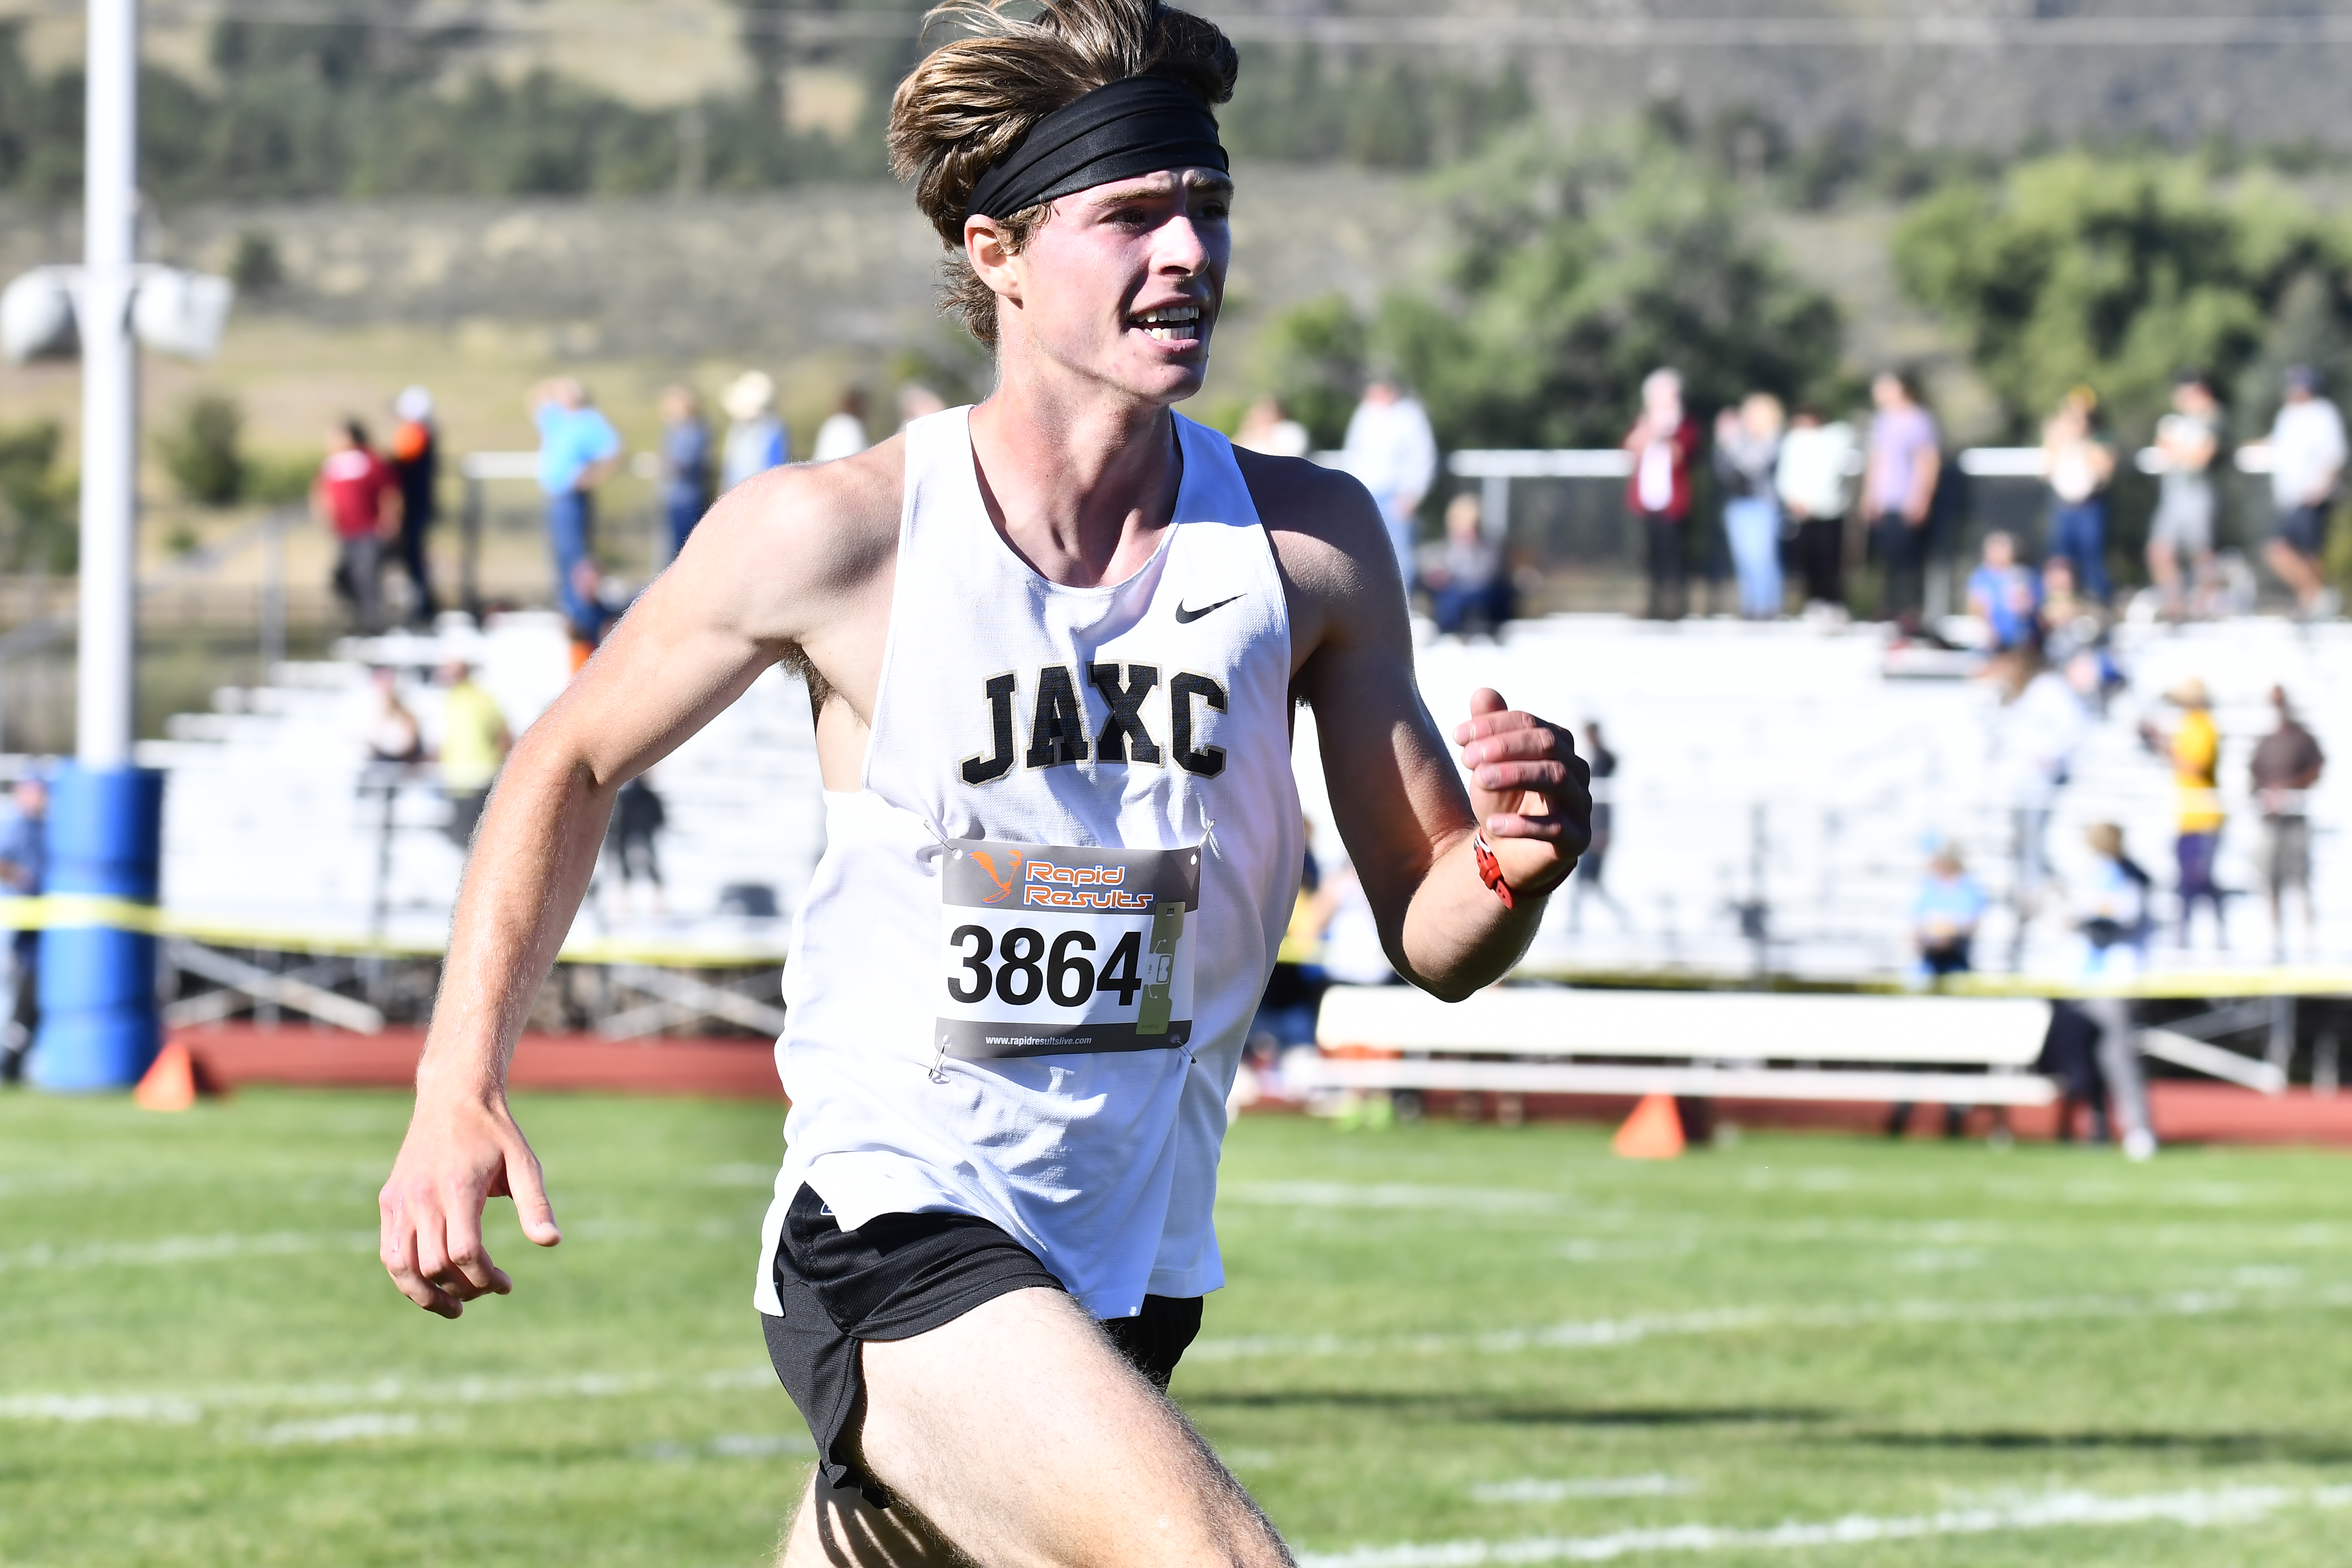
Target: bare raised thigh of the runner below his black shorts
[[1027, 1440]]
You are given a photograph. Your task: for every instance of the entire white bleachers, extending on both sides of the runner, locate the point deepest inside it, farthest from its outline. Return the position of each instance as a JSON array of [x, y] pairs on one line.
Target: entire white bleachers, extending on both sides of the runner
[[1775, 808]]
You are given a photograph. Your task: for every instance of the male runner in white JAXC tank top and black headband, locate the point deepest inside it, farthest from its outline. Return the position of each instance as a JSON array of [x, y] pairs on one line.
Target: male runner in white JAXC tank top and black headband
[[1053, 648]]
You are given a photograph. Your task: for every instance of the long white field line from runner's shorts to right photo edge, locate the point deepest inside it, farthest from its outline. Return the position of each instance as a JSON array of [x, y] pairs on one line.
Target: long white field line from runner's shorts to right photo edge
[[1742, 1320]]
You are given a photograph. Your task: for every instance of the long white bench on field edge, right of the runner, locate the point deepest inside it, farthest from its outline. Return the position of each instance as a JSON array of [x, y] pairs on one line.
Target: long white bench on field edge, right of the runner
[[1725, 1045]]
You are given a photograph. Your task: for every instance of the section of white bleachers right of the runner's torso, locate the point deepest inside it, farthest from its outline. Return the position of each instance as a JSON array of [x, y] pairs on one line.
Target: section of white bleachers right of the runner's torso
[[1779, 791]]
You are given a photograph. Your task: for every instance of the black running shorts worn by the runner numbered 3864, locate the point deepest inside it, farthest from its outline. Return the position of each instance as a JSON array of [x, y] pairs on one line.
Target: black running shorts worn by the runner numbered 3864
[[895, 1278]]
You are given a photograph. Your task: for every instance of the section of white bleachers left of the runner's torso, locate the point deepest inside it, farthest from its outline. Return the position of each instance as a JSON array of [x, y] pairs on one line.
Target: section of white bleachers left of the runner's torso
[[276, 822]]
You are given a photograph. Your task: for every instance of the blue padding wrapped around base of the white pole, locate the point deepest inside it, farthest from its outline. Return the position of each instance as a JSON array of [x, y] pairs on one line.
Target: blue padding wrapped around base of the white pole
[[100, 1021]]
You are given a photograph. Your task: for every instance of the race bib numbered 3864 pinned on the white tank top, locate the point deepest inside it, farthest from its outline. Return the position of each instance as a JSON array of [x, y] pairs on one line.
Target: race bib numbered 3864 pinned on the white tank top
[[1053, 951]]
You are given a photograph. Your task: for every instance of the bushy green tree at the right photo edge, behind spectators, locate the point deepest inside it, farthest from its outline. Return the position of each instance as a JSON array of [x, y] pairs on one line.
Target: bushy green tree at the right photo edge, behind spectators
[[2118, 274]]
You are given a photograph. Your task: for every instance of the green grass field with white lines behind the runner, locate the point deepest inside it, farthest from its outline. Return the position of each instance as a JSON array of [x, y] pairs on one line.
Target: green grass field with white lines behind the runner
[[1441, 1348]]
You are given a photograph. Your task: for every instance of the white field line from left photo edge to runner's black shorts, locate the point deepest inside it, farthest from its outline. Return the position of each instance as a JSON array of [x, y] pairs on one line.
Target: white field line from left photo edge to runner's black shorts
[[180, 1407]]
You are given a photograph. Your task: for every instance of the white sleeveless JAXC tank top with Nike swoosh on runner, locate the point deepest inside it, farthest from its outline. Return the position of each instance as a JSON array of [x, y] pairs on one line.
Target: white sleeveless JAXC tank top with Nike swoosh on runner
[[1041, 927]]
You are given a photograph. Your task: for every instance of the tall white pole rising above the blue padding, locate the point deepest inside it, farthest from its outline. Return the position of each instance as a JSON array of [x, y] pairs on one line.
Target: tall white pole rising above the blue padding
[[109, 389]]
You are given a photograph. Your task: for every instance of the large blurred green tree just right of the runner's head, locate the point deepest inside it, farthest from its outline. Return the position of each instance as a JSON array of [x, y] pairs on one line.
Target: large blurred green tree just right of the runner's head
[[1582, 267]]
